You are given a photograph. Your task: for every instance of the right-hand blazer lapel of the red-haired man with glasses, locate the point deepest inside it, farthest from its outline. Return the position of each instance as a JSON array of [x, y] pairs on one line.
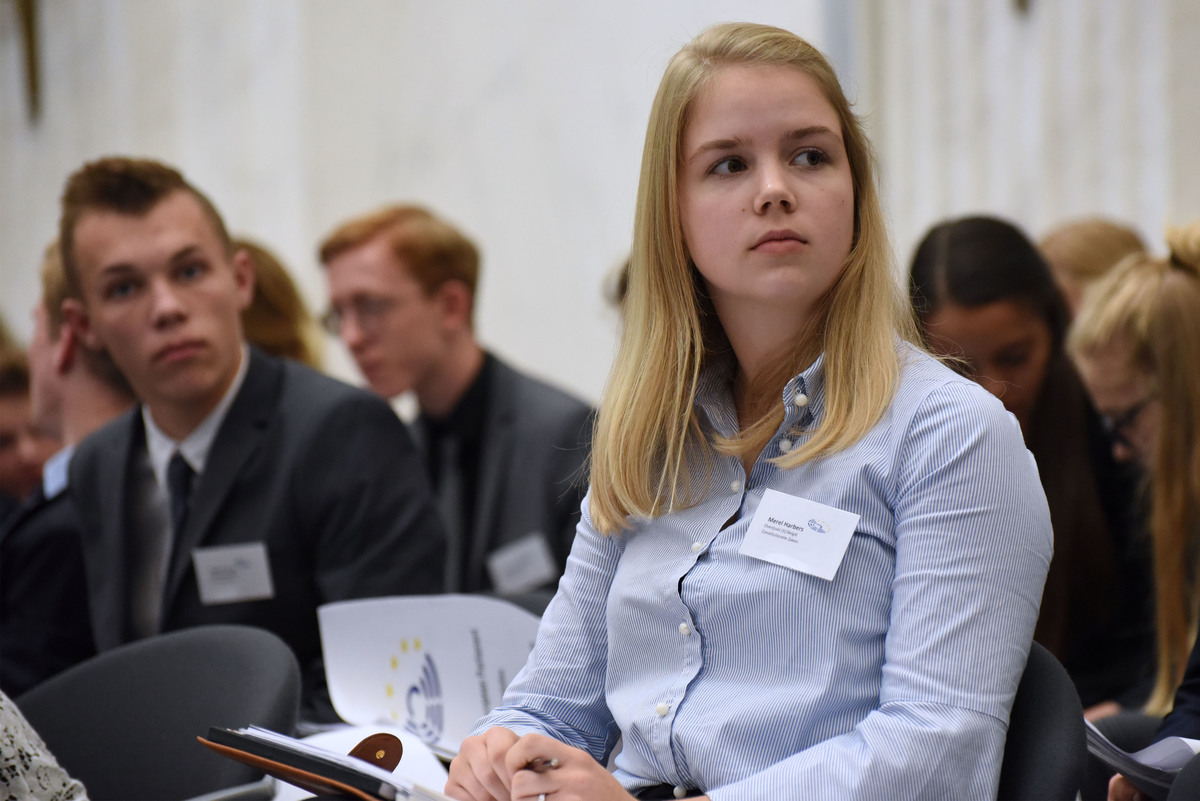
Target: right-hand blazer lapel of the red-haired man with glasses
[[499, 433]]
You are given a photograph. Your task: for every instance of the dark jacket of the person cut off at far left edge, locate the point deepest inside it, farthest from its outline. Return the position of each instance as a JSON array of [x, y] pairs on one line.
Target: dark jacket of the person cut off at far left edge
[[44, 595]]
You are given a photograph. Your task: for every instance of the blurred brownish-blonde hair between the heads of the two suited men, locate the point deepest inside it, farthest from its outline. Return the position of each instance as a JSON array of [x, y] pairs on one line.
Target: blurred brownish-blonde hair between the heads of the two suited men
[[278, 320]]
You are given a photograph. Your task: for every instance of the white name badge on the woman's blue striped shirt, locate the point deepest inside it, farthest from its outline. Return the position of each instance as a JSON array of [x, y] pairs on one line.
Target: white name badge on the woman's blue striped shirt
[[800, 534]]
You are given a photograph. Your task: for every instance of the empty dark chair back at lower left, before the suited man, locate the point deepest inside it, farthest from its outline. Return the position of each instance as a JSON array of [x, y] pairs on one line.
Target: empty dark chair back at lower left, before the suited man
[[125, 722]]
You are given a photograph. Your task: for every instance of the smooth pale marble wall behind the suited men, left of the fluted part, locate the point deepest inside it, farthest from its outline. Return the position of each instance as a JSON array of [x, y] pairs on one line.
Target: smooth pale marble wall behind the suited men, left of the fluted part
[[520, 122]]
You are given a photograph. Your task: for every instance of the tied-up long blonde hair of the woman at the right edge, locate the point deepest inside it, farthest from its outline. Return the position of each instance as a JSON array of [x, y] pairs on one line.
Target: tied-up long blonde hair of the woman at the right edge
[[1154, 308]]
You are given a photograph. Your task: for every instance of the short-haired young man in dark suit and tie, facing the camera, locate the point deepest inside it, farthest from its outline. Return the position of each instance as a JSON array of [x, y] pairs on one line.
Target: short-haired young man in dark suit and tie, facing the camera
[[244, 489]]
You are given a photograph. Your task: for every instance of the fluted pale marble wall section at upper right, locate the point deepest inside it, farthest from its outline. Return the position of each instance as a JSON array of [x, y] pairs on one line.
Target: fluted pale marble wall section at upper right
[[1070, 109]]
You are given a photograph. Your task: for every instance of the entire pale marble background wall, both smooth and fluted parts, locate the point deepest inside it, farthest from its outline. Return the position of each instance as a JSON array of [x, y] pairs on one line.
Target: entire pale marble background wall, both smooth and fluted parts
[[523, 122]]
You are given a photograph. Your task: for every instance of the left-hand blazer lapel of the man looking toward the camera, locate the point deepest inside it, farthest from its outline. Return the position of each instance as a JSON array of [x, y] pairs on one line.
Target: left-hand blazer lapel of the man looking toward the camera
[[106, 545]]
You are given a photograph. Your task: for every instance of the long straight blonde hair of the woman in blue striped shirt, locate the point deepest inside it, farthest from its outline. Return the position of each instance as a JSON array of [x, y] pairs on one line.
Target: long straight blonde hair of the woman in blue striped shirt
[[641, 460]]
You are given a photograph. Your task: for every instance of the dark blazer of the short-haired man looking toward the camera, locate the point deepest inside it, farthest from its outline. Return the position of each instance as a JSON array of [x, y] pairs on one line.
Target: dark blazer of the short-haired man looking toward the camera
[[323, 474]]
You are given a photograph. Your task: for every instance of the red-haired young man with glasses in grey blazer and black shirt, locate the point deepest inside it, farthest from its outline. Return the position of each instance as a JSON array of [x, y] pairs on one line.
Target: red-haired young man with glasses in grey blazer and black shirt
[[506, 451]]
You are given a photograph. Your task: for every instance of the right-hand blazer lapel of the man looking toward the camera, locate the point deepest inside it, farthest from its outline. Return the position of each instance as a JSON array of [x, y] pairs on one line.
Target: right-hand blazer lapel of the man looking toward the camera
[[239, 437]]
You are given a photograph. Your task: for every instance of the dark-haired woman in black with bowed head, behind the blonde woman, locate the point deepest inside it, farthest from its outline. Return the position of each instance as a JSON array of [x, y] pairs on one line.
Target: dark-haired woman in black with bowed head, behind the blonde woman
[[986, 298]]
